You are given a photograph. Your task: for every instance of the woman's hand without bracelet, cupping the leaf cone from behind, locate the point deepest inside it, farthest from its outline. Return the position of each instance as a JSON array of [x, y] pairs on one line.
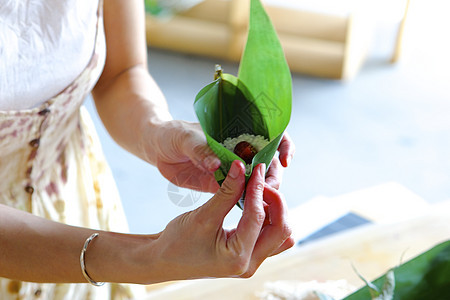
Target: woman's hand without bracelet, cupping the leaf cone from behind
[[184, 157]]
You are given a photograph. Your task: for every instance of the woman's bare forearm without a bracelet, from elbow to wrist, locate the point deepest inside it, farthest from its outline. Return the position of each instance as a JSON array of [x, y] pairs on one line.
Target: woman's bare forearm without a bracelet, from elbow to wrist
[[132, 108]]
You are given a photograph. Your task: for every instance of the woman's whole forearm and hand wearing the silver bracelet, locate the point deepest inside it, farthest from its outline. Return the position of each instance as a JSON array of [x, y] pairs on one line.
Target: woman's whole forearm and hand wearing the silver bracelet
[[193, 245]]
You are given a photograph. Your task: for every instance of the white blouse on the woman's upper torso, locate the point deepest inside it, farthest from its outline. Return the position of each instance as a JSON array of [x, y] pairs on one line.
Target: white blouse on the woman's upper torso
[[43, 44]]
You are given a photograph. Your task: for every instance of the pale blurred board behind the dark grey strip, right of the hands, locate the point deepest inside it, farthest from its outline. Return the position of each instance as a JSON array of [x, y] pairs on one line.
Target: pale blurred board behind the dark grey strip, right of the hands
[[384, 203]]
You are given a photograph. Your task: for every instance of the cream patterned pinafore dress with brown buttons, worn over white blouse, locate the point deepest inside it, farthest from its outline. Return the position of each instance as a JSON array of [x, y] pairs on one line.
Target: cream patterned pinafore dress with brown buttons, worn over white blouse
[[52, 165]]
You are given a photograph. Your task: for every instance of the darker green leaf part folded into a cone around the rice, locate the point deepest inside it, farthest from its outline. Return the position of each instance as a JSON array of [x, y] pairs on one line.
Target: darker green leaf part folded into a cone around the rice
[[226, 109]]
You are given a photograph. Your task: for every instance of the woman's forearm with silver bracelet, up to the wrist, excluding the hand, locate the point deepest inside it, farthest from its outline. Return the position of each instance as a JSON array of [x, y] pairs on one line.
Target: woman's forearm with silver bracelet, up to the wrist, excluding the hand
[[38, 250]]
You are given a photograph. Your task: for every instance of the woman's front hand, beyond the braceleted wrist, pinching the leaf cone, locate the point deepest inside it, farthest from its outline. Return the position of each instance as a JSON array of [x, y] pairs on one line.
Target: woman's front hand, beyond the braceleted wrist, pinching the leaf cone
[[194, 245]]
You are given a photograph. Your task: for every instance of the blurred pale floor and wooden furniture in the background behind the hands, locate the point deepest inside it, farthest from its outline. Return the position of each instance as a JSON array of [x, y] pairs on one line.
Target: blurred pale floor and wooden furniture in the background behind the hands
[[371, 99]]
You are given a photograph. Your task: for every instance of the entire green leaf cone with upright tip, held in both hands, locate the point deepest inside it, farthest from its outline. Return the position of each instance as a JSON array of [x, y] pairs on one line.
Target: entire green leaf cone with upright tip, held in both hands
[[257, 102]]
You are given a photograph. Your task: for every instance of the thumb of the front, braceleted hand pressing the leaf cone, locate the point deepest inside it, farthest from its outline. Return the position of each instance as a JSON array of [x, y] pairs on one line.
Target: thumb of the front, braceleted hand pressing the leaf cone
[[229, 193]]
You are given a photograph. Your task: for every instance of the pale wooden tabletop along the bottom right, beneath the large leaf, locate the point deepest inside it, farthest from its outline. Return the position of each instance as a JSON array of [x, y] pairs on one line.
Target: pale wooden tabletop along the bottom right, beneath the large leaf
[[372, 249]]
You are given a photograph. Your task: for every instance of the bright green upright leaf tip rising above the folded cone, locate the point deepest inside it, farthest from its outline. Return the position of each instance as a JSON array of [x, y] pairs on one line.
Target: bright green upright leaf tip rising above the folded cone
[[264, 70]]
